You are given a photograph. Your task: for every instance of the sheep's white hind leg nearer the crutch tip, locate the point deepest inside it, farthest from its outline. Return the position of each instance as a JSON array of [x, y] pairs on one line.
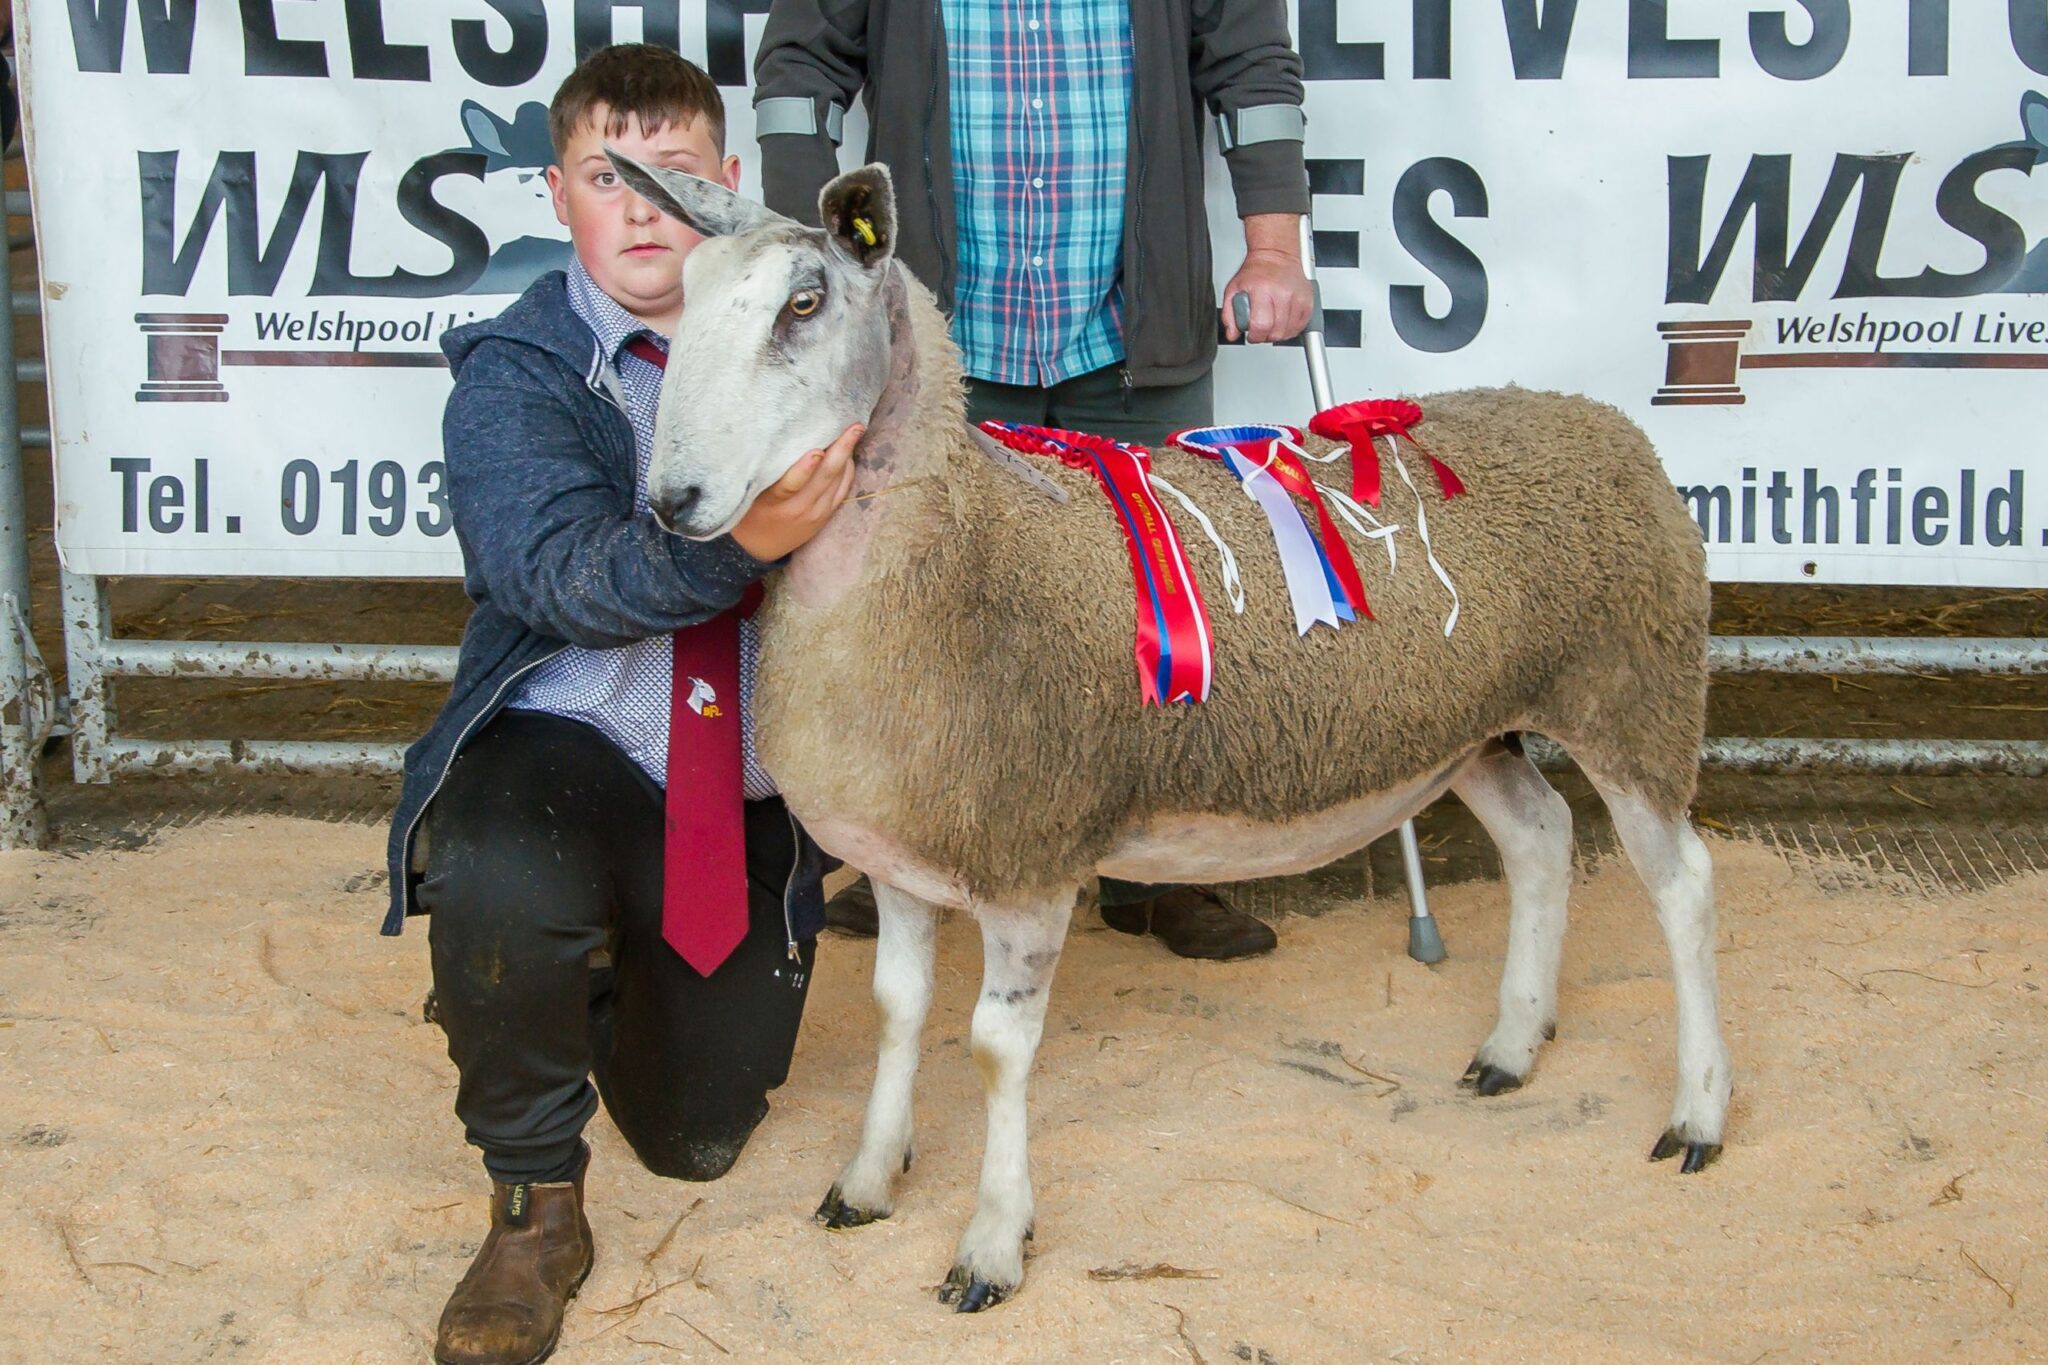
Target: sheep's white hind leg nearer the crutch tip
[[1531, 826]]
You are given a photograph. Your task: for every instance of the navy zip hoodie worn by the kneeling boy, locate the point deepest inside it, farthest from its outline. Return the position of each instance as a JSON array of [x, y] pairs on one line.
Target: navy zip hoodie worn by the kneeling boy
[[542, 474]]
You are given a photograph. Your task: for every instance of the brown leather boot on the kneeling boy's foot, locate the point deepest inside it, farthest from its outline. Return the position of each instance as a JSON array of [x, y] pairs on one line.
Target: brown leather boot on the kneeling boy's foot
[[511, 1303]]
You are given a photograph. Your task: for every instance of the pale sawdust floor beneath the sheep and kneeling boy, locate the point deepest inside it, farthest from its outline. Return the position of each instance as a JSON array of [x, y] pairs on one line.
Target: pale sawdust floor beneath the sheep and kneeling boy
[[226, 1137]]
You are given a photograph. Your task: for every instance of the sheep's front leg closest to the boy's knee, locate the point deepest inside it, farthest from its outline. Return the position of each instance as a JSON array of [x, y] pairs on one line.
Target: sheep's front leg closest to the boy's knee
[[904, 996]]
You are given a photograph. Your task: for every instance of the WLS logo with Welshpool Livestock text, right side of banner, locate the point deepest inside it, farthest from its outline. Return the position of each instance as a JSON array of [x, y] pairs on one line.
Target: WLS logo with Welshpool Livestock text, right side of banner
[[1861, 326]]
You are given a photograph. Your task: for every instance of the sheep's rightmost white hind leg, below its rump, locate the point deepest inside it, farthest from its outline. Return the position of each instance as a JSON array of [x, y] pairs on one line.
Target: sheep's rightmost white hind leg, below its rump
[[1680, 879]]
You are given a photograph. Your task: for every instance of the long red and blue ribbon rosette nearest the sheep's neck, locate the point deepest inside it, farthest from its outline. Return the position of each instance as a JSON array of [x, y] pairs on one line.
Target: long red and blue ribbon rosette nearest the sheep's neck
[[1175, 652]]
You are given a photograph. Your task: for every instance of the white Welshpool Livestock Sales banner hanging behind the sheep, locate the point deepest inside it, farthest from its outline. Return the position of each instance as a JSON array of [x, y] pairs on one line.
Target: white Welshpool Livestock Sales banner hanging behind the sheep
[[1799, 240]]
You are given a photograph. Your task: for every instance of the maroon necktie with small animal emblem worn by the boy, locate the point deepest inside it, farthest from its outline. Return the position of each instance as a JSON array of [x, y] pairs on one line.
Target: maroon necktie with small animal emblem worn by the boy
[[706, 846]]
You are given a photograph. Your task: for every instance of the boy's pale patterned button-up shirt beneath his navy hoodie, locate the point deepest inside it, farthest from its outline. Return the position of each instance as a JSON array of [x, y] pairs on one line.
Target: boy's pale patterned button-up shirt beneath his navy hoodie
[[626, 693]]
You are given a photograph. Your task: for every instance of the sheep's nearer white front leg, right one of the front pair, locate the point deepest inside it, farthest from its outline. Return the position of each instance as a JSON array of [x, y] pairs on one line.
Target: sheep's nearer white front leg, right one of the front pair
[[1021, 953]]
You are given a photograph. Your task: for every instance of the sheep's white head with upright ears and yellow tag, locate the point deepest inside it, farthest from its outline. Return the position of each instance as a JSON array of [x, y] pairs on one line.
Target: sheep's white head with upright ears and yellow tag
[[783, 341]]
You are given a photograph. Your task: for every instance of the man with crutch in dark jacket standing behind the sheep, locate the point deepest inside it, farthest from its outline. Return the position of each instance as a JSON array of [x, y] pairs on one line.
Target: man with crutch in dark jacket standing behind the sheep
[[1050, 167]]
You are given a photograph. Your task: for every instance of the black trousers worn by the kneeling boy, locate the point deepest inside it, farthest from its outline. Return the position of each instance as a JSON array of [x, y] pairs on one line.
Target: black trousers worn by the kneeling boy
[[542, 848]]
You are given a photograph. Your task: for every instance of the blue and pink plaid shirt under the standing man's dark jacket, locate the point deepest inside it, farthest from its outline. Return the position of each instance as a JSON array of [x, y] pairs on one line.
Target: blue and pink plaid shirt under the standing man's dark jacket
[[1041, 126]]
